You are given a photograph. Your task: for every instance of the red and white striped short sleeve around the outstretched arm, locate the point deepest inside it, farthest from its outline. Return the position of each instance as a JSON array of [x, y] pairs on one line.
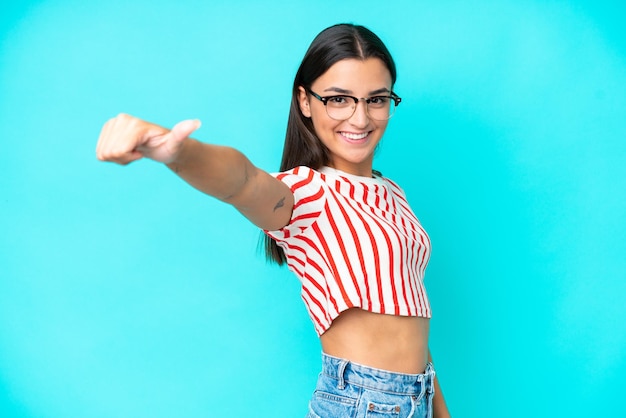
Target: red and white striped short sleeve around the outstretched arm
[[309, 192]]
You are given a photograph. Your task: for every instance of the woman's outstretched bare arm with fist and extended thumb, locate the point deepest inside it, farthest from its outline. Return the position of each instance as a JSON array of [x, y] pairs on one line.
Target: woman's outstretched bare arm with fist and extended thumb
[[219, 171]]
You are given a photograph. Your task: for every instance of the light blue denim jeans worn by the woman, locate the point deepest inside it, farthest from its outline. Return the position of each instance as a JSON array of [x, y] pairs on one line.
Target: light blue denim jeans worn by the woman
[[345, 389]]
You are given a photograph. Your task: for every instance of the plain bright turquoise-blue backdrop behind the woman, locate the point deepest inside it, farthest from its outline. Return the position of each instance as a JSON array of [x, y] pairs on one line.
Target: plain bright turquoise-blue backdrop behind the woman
[[126, 293]]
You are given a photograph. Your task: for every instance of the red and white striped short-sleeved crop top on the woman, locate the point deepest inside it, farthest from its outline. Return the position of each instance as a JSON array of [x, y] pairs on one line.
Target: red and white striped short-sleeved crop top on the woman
[[353, 242]]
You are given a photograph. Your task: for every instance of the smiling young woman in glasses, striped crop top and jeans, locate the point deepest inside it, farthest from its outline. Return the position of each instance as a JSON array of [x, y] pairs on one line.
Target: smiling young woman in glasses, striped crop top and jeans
[[346, 231]]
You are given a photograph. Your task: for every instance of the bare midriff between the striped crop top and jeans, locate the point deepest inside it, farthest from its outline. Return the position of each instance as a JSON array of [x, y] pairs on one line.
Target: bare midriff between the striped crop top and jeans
[[394, 343]]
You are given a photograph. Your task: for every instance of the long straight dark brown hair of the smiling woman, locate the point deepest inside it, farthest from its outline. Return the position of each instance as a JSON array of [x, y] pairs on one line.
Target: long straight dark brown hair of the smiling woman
[[302, 146]]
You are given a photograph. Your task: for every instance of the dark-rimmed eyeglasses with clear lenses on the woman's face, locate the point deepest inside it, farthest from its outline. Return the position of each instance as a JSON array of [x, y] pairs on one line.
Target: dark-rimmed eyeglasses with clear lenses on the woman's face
[[342, 107]]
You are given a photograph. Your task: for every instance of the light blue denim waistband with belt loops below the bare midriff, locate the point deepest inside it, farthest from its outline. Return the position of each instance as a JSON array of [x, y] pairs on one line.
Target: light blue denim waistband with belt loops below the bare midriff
[[347, 372]]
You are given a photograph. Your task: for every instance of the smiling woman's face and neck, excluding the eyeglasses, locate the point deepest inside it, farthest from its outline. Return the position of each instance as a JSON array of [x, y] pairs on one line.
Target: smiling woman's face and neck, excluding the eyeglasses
[[351, 142]]
